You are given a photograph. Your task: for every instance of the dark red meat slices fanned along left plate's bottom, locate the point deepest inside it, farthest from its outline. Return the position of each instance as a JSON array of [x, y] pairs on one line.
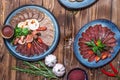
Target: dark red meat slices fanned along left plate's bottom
[[32, 48]]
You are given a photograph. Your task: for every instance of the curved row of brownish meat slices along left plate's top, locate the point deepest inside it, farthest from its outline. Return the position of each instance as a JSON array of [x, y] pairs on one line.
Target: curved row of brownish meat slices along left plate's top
[[27, 14]]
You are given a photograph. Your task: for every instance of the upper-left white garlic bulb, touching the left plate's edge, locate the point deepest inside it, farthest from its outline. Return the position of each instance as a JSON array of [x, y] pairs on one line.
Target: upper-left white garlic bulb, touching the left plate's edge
[[50, 60]]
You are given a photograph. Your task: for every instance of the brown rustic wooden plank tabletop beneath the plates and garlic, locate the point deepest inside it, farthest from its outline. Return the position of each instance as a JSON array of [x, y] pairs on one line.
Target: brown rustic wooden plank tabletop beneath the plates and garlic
[[70, 22]]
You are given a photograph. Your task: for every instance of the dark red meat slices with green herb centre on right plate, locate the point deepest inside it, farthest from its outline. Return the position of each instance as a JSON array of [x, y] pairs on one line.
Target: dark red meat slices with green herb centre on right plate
[[97, 43]]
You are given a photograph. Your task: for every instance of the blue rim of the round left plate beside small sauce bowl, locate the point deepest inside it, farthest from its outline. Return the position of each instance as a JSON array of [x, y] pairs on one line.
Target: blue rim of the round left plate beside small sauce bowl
[[52, 47]]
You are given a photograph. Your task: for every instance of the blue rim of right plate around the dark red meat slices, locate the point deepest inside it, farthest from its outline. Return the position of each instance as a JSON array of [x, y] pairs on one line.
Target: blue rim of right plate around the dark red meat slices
[[74, 44]]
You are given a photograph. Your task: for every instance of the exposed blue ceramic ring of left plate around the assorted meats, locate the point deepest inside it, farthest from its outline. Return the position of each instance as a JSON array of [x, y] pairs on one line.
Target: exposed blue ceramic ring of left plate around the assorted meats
[[51, 48]]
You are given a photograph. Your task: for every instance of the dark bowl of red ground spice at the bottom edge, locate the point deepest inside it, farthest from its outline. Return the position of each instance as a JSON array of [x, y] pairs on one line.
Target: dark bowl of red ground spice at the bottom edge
[[76, 74]]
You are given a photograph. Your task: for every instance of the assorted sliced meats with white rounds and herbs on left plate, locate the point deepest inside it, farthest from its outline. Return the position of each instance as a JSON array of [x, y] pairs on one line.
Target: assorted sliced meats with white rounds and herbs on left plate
[[33, 32]]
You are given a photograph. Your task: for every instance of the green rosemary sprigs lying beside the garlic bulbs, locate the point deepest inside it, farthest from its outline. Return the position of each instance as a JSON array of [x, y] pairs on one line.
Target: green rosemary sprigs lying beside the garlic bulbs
[[40, 70]]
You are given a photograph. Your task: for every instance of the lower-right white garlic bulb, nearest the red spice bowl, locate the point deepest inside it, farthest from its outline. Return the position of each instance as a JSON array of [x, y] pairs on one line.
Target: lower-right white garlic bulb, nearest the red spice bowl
[[59, 70]]
